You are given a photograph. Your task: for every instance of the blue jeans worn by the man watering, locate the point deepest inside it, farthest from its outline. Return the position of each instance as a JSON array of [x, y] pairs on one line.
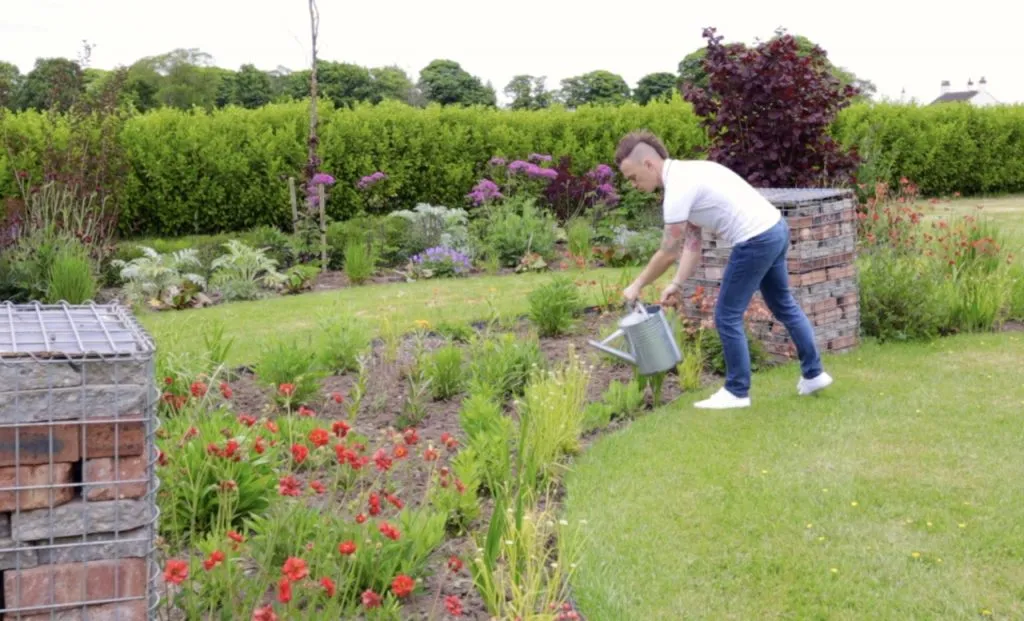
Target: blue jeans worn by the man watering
[[760, 264]]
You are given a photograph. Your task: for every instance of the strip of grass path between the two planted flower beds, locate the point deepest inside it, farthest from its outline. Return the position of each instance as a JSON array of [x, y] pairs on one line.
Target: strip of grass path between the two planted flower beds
[[253, 323]]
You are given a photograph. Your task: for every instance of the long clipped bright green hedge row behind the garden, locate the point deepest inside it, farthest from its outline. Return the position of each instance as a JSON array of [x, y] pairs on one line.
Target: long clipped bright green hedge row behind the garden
[[197, 173]]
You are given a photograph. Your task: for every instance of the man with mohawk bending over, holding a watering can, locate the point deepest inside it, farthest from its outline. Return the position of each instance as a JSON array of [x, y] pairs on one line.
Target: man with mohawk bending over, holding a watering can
[[706, 195]]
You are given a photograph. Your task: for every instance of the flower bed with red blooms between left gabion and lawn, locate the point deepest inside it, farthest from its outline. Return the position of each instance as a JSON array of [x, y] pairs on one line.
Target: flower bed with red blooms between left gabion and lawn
[[376, 489]]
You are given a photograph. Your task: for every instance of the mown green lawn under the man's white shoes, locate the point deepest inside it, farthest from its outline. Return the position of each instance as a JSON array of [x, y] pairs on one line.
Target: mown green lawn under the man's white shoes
[[815, 508]]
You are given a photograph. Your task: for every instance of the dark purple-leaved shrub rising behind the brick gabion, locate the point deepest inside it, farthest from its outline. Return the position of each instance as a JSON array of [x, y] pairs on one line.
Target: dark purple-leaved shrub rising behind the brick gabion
[[769, 110]]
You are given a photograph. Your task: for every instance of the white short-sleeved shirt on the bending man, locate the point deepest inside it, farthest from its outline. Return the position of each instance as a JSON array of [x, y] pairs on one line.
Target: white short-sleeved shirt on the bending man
[[711, 196]]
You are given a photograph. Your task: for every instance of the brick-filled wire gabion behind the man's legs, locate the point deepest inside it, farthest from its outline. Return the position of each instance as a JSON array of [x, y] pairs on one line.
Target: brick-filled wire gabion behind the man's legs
[[823, 271]]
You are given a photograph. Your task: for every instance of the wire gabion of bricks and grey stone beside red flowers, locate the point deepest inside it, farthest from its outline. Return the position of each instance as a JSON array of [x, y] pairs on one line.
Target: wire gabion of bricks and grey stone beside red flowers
[[77, 485]]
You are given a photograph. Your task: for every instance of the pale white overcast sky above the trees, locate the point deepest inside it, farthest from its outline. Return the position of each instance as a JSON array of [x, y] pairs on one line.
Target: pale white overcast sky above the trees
[[888, 43]]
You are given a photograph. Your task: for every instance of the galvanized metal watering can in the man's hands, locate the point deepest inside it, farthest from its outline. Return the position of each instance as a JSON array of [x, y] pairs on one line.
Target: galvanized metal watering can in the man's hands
[[653, 347]]
